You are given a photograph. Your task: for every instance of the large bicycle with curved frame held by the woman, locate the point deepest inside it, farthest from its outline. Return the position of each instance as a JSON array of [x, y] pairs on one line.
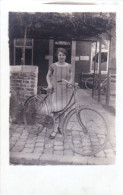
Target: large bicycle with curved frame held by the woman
[[84, 128]]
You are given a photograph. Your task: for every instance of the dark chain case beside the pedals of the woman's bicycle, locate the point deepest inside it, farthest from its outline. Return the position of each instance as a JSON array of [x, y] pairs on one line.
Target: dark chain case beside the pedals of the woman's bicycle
[[45, 120]]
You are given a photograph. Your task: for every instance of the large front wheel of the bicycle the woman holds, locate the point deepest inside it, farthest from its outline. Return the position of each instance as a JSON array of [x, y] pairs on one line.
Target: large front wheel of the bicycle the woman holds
[[96, 137]]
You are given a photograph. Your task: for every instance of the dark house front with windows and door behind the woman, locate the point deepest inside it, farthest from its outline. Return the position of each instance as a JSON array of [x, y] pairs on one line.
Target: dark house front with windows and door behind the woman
[[41, 53]]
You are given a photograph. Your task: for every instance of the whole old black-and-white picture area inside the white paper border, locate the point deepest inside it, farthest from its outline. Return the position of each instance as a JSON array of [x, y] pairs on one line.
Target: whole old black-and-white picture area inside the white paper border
[[62, 88]]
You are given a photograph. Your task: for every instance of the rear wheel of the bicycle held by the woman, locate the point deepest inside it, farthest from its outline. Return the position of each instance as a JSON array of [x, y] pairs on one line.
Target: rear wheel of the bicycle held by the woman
[[34, 106]]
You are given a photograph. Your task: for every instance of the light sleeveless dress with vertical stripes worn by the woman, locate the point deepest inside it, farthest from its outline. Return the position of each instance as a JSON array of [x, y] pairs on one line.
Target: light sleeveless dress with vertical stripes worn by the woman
[[61, 94]]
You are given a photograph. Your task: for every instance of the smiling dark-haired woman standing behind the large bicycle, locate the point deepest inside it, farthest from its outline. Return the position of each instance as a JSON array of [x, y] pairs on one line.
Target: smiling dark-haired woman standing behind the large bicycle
[[60, 96]]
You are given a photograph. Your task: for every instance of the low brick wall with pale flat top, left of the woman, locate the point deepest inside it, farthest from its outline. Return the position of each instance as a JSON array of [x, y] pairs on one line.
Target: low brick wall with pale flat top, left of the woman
[[23, 80]]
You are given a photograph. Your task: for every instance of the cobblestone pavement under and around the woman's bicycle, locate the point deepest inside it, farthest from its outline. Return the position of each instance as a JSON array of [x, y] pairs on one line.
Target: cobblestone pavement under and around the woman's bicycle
[[38, 149]]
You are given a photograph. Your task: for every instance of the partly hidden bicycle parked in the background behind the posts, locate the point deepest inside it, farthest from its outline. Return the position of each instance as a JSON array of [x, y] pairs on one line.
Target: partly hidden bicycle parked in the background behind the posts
[[91, 83]]
